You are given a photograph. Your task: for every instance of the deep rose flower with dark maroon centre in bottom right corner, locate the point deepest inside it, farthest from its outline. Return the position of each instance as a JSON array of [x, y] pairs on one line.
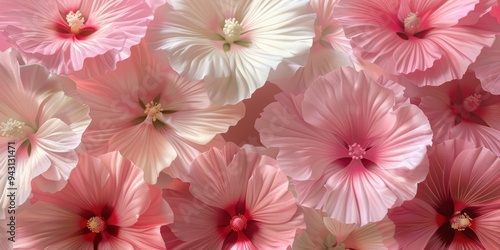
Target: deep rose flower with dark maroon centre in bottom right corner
[[457, 206]]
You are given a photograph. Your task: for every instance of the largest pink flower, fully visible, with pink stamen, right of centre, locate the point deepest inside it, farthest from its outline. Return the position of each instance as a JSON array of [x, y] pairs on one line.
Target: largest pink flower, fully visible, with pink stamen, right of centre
[[349, 150]]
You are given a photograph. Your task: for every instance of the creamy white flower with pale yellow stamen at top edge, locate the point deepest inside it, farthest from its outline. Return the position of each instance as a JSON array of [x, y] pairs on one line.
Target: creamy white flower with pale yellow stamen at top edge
[[233, 45]]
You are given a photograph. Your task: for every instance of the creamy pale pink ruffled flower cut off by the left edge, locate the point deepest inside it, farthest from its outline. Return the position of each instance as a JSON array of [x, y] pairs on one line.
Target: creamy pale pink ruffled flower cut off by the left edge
[[40, 128]]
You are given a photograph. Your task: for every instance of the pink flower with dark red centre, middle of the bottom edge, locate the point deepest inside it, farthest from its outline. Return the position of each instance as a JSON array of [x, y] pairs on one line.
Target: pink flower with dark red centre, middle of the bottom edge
[[237, 199]]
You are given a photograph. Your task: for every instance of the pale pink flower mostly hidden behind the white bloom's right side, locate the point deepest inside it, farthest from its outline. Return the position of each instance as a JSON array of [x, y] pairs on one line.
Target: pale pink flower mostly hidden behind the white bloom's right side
[[330, 50]]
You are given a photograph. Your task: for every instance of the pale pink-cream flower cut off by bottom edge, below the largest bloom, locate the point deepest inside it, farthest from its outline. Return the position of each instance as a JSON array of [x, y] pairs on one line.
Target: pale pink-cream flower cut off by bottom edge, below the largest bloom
[[323, 233]]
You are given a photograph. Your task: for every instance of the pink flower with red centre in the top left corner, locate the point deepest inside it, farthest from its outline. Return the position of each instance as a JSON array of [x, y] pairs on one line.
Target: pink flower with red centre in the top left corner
[[75, 37]]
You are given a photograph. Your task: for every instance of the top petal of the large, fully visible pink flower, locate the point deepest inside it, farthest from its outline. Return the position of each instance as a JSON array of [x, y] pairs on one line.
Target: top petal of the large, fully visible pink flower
[[325, 107]]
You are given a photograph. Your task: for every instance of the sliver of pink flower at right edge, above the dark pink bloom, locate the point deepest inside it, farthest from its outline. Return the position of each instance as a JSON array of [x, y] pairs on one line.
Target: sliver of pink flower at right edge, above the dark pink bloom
[[487, 68]]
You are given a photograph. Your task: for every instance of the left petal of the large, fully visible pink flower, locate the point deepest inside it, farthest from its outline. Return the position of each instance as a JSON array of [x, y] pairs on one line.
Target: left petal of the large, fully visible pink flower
[[282, 125]]
